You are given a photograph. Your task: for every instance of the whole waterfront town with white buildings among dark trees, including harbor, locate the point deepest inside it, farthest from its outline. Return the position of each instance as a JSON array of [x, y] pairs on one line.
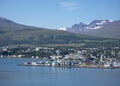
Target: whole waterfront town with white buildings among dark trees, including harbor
[[66, 56]]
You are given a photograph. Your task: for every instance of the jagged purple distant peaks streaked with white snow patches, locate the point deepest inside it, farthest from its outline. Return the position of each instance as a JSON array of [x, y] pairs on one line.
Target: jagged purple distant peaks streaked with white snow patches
[[82, 27]]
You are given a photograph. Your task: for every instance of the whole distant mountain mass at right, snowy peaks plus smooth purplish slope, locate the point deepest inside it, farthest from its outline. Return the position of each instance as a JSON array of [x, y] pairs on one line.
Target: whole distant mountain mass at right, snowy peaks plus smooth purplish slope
[[98, 28]]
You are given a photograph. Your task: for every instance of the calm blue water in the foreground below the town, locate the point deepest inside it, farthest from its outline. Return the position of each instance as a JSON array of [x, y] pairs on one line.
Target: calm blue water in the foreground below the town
[[13, 75]]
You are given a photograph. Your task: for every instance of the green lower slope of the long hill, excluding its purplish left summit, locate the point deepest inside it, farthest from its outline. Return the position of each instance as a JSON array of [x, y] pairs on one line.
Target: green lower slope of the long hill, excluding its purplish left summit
[[45, 36]]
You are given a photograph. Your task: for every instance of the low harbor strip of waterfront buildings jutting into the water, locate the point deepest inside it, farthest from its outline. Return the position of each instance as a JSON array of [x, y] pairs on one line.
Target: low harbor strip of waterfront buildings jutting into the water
[[67, 63]]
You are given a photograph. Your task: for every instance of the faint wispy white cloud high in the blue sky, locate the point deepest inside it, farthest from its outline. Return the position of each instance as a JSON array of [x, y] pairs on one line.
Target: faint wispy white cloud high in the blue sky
[[70, 5]]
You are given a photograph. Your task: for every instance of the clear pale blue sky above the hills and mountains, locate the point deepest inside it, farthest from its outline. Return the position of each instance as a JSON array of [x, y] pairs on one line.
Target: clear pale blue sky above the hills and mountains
[[54, 14]]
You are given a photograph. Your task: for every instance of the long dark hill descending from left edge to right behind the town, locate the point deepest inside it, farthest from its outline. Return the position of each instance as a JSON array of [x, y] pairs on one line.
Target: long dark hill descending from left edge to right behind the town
[[12, 33]]
